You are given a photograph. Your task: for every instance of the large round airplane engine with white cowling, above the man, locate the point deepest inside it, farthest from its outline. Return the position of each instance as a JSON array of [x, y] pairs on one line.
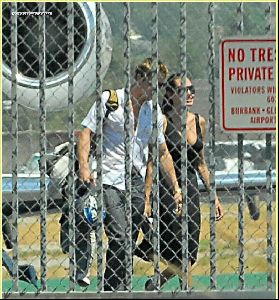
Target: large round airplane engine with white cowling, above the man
[[56, 92]]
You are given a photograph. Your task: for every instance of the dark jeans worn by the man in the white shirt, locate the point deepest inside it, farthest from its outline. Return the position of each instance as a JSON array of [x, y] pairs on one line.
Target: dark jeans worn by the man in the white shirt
[[115, 225]]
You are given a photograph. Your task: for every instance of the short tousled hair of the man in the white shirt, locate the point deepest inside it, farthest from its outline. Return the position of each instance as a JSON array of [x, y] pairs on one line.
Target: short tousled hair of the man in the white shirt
[[145, 69]]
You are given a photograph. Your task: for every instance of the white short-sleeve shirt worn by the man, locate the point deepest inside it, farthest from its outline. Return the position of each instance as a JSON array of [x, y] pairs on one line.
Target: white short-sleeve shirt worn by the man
[[114, 137]]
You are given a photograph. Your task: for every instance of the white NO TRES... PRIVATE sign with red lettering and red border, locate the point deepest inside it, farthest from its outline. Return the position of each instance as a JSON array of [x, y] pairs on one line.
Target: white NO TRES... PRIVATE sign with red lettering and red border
[[248, 84]]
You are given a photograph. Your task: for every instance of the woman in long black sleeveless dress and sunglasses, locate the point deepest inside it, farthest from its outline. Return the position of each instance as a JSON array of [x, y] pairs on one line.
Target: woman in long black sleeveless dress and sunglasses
[[170, 219]]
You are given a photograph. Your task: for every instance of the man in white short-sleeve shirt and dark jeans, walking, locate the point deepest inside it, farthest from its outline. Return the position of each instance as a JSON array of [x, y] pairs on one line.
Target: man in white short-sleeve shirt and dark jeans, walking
[[114, 164]]
